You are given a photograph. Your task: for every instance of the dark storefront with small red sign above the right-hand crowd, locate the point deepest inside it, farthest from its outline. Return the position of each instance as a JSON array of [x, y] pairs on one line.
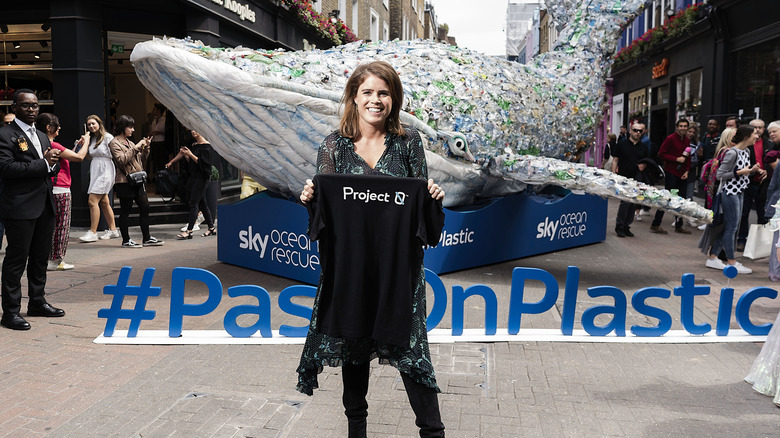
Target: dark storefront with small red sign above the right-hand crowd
[[727, 64]]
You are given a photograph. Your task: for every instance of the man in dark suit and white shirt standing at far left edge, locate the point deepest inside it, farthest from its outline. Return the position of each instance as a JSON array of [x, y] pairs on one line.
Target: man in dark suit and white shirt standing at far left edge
[[27, 163]]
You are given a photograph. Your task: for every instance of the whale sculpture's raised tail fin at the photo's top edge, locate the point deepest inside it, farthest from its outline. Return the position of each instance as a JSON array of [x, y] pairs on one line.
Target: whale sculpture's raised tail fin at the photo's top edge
[[593, 25]]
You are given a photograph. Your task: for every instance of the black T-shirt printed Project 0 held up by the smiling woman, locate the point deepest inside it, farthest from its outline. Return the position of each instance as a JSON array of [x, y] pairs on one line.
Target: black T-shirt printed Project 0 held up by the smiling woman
[[372, 230]]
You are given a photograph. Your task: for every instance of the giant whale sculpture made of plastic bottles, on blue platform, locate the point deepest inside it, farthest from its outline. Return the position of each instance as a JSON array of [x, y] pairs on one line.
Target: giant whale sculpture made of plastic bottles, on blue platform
[[490, 126]]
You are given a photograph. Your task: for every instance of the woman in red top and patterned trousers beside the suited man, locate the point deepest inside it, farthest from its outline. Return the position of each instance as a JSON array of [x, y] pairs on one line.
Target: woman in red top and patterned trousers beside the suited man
[[62, 196]]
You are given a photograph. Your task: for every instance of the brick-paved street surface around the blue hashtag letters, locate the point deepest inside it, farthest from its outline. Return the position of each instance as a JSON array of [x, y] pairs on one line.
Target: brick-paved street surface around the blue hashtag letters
[[54, 381]]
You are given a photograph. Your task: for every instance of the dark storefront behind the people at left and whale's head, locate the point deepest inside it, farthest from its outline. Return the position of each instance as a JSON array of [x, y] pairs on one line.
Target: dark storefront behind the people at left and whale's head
[[75, 55]]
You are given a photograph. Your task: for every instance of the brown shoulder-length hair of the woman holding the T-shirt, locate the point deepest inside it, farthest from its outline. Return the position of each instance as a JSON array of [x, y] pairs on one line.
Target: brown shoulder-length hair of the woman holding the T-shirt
[[349, 127]]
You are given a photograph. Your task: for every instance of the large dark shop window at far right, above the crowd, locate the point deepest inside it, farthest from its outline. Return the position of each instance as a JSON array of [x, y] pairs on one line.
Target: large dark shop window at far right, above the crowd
[[756, 81]]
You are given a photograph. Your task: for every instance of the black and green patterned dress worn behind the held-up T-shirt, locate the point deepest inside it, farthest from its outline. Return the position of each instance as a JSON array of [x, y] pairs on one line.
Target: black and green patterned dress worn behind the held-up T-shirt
[[404, 156]]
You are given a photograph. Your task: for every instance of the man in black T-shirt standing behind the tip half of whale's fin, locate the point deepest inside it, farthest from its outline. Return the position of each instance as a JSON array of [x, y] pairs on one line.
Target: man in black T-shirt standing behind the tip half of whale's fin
[[625, 162]]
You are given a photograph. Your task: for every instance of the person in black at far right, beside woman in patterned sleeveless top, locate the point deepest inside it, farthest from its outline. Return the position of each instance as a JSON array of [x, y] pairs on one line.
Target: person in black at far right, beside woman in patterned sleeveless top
[[755, 193]]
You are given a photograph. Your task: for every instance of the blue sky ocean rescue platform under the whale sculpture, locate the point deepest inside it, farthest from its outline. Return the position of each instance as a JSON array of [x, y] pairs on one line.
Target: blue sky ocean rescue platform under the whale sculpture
[[269, 234]]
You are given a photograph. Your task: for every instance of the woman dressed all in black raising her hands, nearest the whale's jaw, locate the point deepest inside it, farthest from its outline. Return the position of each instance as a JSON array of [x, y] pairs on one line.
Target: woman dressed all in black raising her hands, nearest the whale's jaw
[[200, 159]]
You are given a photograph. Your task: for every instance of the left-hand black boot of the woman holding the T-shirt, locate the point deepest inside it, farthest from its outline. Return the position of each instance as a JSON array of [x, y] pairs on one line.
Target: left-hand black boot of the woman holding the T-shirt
[[355, 379]]
